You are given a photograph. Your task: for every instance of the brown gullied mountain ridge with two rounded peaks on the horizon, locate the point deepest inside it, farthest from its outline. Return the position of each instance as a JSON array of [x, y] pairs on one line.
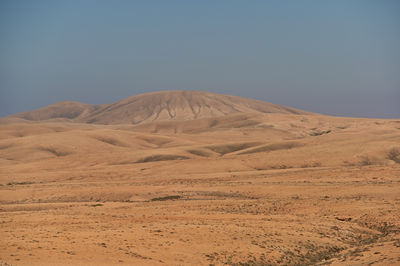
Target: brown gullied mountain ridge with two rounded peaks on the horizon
[[155, 106]]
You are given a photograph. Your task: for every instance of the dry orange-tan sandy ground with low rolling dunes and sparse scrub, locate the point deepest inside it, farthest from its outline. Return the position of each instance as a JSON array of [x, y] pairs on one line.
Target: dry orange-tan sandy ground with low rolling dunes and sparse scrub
[[239, 190]]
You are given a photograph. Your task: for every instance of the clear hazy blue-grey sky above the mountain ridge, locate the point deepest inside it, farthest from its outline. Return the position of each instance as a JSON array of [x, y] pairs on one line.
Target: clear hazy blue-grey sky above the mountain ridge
[[333, 57]]
